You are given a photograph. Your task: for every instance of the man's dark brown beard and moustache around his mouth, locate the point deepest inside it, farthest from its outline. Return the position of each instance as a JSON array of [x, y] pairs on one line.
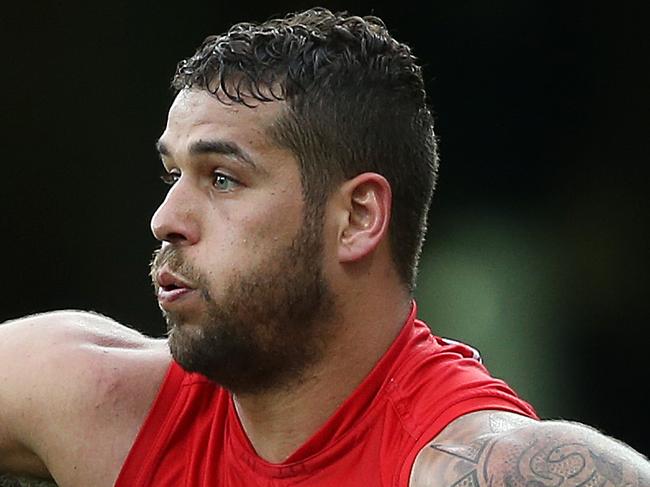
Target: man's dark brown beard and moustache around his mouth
[[268, 326]]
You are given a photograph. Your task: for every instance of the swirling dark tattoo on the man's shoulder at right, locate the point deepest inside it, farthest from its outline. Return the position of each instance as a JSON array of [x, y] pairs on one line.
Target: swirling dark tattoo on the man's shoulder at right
[[561, 455]]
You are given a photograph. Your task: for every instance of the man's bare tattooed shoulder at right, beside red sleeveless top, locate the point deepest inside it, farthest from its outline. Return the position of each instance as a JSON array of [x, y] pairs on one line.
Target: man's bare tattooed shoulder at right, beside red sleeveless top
[[500, 449]]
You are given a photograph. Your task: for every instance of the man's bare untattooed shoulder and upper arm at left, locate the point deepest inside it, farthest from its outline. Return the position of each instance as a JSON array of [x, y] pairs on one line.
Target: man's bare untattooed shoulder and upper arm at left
[[73, 385]]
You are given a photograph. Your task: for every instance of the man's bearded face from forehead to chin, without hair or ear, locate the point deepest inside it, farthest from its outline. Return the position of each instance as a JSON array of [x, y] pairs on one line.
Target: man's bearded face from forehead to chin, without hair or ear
[[239, 276]]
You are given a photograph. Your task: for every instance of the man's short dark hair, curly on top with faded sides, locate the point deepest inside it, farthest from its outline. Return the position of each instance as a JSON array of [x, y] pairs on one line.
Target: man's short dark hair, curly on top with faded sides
[[355, 103]]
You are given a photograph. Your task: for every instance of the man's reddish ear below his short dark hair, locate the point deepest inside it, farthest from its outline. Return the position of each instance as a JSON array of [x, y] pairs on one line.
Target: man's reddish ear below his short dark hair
[[364, 215]]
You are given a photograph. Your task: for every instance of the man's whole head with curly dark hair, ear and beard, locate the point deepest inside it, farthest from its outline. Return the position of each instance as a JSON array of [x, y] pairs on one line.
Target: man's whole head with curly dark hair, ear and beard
[[290, 145]]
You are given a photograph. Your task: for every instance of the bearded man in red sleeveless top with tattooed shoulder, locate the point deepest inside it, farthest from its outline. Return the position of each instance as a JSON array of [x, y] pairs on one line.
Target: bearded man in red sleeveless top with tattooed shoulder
[[301, 159]]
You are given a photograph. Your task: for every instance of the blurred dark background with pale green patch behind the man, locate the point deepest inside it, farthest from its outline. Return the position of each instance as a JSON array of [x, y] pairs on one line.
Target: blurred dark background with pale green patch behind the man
[[537, 251]]
